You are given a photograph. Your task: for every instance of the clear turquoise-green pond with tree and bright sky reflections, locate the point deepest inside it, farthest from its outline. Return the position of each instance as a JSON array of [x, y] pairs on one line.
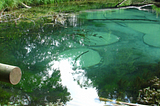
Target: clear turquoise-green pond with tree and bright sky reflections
[[98, 53]]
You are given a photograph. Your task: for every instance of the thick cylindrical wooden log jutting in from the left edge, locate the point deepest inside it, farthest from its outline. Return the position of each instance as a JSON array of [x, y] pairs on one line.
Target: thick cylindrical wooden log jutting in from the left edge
[[10, 74]]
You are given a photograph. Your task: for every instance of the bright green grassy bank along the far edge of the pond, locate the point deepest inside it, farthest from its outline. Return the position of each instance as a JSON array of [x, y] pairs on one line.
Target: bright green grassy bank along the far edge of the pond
[[12, 4]]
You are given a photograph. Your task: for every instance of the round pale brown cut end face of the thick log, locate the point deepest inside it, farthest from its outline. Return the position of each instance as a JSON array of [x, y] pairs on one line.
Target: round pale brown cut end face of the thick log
[[15, 76]]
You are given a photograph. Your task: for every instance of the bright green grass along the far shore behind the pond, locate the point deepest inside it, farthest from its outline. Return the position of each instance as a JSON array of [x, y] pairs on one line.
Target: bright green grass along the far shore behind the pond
[[18, 3]]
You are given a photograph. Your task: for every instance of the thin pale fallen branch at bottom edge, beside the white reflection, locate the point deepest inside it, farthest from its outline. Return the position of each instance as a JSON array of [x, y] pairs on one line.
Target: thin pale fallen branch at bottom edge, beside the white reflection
[[121, 103]]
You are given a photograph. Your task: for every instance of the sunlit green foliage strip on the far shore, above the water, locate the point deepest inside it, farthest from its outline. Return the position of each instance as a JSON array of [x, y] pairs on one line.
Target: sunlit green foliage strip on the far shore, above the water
[[104, 3]]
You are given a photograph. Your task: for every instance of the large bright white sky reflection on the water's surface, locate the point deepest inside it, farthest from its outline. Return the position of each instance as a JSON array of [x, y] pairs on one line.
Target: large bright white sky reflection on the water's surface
[[81, 96]]
